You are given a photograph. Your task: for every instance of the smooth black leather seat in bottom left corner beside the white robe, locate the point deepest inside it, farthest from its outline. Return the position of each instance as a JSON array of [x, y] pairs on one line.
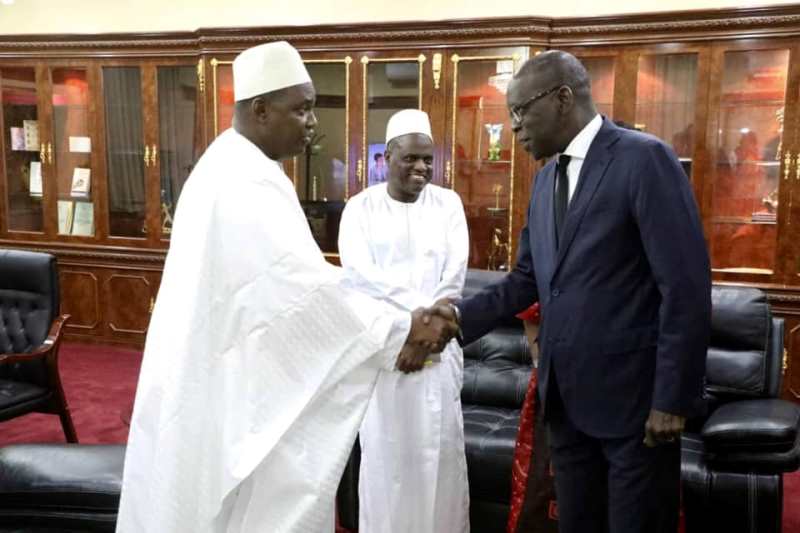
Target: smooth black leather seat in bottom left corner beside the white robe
[[60, 478]]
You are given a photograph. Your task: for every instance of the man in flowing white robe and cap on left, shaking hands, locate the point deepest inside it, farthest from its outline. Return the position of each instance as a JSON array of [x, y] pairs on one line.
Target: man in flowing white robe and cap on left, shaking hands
[[260, 359]]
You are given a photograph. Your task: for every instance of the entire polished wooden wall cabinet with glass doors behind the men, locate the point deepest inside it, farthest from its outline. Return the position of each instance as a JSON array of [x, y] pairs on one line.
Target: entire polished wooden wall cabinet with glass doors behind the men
[[135, 112]]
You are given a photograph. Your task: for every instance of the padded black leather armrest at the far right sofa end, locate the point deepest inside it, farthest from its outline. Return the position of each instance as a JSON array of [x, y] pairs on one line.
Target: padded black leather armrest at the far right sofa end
[[754, 435]]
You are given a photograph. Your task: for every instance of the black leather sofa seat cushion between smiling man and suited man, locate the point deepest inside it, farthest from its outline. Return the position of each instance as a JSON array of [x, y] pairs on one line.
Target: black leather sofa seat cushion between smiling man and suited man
[[490, 435]]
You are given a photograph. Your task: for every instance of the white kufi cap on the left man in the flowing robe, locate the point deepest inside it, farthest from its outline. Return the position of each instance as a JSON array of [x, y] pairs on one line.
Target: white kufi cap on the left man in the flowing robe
[[266, 68]]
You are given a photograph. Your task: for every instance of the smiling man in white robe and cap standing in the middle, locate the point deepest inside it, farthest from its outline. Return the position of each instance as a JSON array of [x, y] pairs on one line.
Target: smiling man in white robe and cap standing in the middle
[[405, 241]]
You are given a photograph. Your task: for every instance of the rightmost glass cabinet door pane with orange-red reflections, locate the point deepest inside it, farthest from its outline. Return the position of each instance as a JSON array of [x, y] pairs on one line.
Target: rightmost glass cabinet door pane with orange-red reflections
[[747, 160]]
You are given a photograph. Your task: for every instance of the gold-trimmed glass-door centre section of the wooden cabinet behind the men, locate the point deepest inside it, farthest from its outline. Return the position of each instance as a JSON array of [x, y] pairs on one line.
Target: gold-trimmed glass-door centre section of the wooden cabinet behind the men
[[462, 90]]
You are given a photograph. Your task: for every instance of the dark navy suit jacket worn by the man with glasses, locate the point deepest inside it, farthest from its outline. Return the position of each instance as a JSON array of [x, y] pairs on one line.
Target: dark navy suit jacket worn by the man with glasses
[[625, 299]]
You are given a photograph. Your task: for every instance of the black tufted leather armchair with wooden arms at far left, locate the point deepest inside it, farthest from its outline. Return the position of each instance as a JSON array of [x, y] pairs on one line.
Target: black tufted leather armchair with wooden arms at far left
[[30, 335]]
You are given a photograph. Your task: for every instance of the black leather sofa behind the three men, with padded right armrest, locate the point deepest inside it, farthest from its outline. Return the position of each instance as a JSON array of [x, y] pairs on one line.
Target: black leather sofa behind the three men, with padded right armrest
[[733, 459]]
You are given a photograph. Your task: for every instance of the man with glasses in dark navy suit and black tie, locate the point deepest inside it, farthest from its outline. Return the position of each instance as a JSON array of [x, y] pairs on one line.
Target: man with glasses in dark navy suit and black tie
[[613, 251]]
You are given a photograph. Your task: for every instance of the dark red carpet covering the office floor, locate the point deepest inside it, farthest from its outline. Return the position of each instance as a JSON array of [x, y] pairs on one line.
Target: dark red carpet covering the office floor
[[100, 381]]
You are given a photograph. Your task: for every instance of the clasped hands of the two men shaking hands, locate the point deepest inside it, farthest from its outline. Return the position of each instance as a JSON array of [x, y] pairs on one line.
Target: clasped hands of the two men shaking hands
[[431, 329]]
